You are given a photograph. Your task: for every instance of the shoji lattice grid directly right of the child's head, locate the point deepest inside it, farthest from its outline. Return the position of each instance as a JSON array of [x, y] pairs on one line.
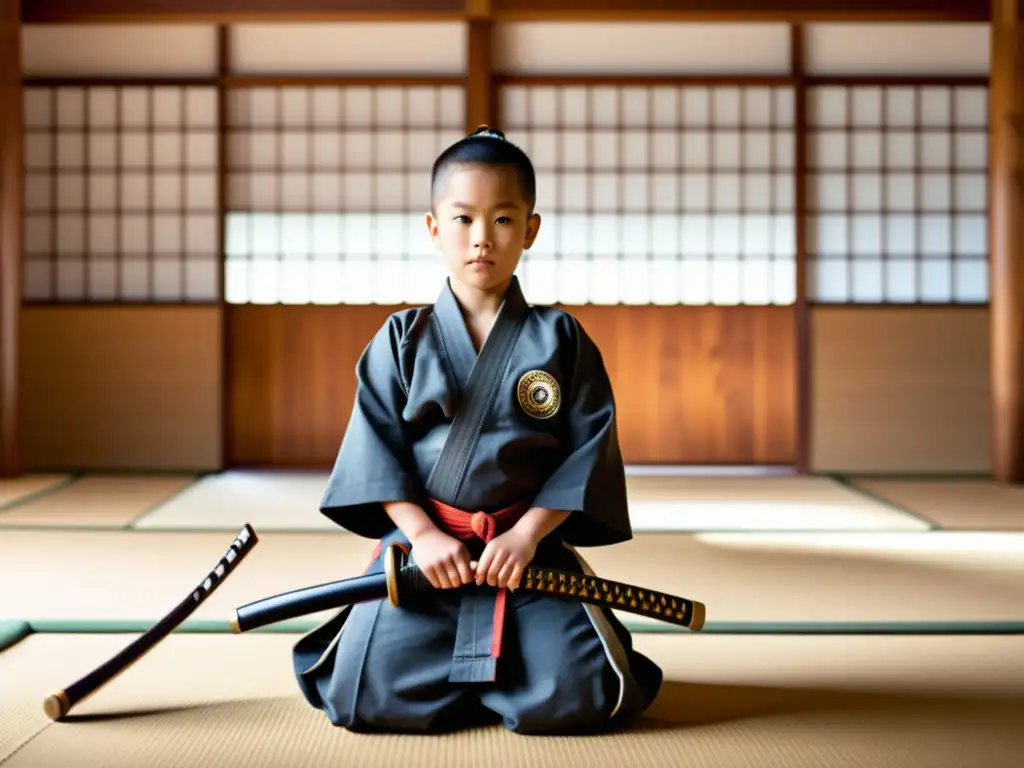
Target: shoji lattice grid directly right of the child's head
[[659, 195]]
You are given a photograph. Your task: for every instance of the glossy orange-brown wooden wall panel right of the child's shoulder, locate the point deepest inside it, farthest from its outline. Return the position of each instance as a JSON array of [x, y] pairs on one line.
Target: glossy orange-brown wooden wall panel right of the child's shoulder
[[700, 386]]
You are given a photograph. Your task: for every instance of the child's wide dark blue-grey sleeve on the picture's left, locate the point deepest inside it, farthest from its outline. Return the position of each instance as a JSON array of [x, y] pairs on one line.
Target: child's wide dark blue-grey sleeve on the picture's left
[[374, 463]]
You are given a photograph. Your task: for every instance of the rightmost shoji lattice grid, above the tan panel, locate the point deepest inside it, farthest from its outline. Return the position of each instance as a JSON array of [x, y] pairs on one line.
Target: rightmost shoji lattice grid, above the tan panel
[[899, 195]]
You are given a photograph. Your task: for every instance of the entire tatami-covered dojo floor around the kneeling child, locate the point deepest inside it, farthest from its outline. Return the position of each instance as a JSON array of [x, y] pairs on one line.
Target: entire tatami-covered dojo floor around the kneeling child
[[851, 622]]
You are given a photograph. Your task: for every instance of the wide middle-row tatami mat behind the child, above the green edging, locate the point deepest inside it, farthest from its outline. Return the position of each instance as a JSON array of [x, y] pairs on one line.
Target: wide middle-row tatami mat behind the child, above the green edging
[[850, 577]]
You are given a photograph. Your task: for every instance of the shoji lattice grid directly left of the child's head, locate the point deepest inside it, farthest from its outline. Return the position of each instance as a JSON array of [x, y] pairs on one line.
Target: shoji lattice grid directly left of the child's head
[[328, 191]]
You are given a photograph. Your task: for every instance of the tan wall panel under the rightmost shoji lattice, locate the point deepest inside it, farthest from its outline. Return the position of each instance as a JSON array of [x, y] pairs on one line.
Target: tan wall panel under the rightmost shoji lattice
[[901, 391]]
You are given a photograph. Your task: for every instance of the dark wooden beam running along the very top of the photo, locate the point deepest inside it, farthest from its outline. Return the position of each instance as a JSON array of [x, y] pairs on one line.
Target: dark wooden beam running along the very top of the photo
[[232, 12]]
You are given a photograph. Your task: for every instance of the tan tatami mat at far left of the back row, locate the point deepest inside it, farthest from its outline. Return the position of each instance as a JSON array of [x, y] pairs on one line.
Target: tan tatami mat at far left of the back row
[[97, 501]]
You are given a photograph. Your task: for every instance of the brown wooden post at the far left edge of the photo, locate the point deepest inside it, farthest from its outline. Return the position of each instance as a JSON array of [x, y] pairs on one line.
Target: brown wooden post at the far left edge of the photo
[[12, 183]]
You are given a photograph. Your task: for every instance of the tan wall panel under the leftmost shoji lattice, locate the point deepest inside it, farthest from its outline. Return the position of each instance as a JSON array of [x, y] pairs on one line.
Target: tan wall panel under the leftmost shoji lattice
[[121, 388]]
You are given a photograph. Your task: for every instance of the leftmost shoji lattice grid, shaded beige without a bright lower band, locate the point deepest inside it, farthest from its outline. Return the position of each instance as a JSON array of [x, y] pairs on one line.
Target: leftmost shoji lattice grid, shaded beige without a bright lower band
[[121, 194]]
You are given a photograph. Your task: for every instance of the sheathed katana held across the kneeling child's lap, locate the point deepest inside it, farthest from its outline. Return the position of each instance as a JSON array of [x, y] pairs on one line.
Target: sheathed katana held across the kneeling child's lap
[[402, 580]]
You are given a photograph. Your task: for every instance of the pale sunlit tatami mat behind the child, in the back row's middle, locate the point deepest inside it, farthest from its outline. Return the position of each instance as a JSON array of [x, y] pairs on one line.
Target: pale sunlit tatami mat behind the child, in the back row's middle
[[289, 501]]
